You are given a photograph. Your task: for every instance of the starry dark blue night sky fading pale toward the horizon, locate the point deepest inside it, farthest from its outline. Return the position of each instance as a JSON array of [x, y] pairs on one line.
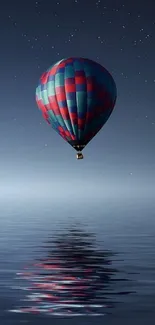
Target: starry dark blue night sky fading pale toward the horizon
[[35, 160]]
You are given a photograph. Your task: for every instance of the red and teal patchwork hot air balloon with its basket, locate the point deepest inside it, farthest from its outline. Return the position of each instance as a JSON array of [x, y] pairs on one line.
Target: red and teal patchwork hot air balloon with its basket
[[76, 97]]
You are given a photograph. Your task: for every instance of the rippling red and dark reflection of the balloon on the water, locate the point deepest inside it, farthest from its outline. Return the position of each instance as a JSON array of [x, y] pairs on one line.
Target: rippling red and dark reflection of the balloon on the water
[[73, 279]]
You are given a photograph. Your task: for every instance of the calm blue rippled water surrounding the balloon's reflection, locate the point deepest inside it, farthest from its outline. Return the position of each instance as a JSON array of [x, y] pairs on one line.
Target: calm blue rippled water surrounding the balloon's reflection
[[127, 229]]
